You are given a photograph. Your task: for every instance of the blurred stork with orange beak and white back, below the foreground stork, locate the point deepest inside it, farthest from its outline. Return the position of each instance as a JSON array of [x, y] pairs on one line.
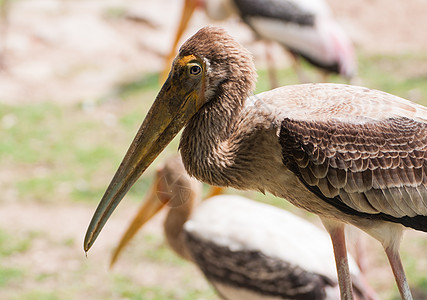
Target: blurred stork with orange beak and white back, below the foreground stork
[[261, 251]]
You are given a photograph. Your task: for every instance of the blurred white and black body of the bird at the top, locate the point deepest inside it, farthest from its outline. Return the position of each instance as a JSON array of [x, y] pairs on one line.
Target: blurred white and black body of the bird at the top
[[306, 28]]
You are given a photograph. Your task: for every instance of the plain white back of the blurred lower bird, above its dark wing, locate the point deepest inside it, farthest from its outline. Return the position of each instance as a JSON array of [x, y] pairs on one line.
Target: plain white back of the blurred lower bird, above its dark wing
[[264, 228]]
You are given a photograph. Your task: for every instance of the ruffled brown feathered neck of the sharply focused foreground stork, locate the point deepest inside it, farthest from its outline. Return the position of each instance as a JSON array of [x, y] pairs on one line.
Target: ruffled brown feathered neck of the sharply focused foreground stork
[[203, 143]]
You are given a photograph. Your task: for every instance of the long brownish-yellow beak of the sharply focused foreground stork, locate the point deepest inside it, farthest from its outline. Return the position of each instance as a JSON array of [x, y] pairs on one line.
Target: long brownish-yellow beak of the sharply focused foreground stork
[[171, 110]]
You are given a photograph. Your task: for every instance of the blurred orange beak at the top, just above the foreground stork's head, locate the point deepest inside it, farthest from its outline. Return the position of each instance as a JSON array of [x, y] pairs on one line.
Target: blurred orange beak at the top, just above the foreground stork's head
[[187, 12]]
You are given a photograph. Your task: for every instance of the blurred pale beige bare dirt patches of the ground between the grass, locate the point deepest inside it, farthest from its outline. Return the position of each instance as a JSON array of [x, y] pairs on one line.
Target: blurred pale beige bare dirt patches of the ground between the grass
[[76, 51]]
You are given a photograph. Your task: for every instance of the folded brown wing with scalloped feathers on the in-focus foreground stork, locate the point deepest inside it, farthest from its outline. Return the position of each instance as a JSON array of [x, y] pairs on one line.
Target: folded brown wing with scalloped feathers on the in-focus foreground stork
[[376, 167]]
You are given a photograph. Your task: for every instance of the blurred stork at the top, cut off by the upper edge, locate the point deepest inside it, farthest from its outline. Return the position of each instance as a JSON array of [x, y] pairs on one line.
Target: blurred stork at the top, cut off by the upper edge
[[307, 29]]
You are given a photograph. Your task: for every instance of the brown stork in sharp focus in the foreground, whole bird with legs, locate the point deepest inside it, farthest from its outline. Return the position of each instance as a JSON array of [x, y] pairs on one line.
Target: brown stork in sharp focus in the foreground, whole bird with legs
[[349, 154]]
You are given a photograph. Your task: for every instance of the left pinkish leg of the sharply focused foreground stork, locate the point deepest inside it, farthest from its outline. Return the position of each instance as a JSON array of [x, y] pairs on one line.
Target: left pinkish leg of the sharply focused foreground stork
[[337, 233]]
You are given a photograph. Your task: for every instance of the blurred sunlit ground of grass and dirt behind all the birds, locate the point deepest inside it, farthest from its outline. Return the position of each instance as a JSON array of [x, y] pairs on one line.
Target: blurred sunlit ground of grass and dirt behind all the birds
[[76, 80]]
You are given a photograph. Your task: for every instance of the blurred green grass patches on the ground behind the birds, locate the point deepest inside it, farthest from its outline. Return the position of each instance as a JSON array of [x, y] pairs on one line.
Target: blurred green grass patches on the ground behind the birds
[[66, 153]]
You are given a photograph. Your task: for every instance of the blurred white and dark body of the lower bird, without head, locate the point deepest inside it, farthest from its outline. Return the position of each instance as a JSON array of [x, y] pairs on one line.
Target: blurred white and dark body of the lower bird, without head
[[261, 252]]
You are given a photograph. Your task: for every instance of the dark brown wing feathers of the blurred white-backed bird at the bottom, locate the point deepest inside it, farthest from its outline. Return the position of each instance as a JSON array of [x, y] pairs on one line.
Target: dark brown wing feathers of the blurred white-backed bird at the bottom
[[253, 270]]
